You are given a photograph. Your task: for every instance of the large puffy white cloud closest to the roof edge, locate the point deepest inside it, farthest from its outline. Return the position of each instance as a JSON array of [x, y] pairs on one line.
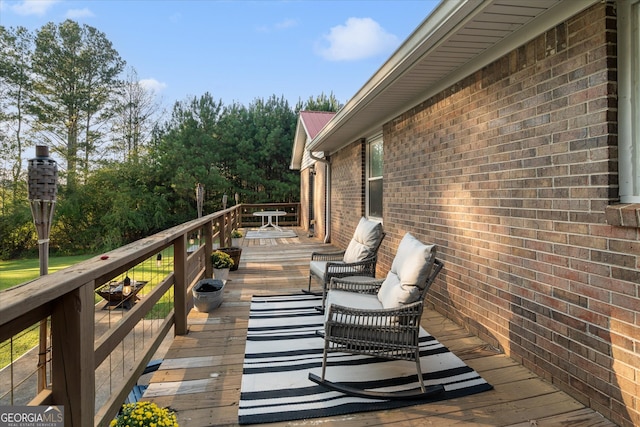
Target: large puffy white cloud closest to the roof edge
[[358, 38]]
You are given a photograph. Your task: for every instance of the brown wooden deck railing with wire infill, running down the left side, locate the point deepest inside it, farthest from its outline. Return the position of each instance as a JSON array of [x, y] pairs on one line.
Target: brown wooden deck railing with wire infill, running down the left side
[[96, 355]]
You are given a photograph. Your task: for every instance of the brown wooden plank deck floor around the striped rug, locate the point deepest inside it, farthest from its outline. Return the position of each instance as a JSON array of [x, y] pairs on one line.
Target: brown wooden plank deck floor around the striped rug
[[201, 373]]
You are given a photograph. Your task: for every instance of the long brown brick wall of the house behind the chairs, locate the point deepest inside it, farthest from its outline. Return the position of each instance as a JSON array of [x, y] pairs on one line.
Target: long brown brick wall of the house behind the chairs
[[510, 172]]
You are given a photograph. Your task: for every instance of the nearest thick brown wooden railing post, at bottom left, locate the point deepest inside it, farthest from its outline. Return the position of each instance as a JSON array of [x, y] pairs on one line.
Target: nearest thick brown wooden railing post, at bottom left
[[73, 366]]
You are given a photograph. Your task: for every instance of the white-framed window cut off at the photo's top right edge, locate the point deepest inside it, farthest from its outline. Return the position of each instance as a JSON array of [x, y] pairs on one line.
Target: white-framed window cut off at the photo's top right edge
[[629, 100]]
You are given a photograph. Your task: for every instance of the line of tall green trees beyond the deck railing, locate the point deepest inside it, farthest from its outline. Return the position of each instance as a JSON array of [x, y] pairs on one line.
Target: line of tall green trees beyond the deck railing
[[127, 169]]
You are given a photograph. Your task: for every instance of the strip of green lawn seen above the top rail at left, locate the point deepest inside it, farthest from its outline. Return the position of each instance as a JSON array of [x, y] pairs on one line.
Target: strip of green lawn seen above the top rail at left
[[22, 270]]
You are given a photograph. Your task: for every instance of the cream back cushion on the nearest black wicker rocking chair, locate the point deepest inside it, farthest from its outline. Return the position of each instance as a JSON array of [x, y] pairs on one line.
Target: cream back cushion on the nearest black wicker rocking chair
[[408, 274]]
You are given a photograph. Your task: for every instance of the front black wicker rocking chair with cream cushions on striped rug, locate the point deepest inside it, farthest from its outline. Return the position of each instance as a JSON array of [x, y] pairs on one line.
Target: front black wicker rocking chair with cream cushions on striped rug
[[381, 317]]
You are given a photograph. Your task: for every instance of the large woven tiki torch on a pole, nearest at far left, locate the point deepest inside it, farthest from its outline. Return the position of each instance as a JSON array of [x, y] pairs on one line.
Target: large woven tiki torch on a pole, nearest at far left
[[43, 180]]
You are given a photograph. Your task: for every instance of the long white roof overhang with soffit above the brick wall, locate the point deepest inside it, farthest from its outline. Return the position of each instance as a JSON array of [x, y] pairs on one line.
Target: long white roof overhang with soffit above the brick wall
[[457, 39]]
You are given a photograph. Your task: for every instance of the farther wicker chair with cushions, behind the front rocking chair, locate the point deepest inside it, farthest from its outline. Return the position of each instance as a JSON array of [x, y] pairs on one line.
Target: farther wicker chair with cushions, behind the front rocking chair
[[359, 259]]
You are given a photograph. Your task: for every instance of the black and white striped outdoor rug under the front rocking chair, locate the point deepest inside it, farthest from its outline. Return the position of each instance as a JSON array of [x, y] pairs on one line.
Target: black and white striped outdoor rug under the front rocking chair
[[283, 347]]
